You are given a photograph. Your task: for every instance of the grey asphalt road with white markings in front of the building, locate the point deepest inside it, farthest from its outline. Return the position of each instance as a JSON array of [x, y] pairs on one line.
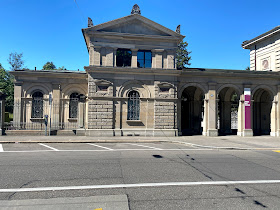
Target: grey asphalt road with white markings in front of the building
[[150, 175]]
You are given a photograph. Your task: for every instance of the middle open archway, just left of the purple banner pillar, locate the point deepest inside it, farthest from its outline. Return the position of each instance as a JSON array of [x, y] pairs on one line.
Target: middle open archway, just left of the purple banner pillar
[[227, 119]]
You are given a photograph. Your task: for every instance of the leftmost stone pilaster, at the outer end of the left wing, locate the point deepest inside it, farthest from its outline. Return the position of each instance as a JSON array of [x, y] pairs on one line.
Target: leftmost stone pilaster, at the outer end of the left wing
[[17, 114]]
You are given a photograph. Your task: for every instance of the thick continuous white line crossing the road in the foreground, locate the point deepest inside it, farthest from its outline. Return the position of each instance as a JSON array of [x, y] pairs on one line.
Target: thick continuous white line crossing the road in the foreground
[[164, 184]]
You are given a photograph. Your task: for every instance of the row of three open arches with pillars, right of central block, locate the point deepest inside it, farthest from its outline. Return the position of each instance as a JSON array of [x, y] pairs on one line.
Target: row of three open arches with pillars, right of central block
[[228, 111]]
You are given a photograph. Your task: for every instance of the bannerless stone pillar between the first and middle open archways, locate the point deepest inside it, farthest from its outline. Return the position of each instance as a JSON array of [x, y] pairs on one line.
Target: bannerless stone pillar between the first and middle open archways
[[212, 111]]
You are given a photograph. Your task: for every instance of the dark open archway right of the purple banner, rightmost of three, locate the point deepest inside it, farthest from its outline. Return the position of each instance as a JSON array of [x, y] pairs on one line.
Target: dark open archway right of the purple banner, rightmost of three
[[262, 104]]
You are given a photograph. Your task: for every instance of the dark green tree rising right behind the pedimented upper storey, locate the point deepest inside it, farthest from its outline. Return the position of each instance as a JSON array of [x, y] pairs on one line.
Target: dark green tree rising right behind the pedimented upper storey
[[182, 55]]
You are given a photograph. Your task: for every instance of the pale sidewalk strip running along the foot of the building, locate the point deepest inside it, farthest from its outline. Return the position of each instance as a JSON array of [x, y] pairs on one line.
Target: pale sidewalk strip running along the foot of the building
[[221, 142]]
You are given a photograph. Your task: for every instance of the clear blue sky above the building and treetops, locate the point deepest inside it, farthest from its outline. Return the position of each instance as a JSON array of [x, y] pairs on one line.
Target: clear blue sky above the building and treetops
[[50, 30]]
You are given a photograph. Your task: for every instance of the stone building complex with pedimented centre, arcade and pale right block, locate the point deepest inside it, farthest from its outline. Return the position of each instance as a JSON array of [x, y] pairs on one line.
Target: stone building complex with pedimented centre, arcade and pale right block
[[132, 87]]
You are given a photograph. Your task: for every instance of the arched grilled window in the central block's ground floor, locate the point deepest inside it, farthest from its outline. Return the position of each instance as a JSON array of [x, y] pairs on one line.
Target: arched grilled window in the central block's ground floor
[[133, 106]]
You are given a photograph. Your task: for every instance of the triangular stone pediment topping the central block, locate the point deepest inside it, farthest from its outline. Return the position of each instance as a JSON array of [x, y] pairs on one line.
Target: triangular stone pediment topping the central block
[[135, 24]]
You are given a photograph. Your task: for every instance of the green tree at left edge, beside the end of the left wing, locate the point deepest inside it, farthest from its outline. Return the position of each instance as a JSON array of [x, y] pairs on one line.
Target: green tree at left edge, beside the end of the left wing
[[7, 87]]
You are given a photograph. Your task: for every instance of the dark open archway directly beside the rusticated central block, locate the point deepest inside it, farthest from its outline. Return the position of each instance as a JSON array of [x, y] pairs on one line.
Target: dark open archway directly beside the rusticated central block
[[192, 110]]
